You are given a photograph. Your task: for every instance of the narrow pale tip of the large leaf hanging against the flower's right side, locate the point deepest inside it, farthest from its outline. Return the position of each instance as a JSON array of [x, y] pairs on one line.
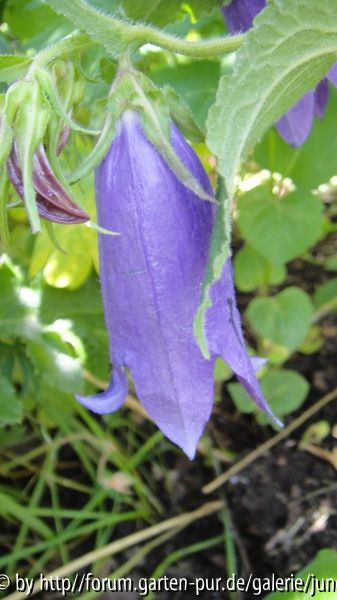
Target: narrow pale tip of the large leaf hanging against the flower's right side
[[218, 254]]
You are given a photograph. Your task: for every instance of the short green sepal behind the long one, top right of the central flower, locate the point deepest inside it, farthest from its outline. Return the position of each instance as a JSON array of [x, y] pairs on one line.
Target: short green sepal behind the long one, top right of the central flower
[[182, 115]]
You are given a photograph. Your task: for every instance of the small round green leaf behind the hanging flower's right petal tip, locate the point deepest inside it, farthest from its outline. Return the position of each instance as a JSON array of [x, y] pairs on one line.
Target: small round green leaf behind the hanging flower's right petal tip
[[284, 390]]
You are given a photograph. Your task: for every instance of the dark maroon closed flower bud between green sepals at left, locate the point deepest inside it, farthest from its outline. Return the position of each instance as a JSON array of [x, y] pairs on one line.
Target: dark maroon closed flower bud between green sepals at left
[[53, 202]]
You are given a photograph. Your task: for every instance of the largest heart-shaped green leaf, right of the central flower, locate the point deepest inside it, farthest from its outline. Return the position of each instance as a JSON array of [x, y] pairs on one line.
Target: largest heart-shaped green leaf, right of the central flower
[[279, 228]]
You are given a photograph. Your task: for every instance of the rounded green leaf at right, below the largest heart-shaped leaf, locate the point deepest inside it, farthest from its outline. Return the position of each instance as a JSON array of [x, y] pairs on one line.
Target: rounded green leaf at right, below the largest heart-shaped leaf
[[283, 319]]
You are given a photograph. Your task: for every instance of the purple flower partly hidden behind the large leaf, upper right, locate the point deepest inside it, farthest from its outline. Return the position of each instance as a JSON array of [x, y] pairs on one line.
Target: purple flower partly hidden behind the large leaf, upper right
[[295, 126]]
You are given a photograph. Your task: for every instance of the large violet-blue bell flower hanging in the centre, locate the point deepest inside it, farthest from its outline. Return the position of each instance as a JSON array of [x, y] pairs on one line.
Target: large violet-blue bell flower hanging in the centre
[[151, 281]]
